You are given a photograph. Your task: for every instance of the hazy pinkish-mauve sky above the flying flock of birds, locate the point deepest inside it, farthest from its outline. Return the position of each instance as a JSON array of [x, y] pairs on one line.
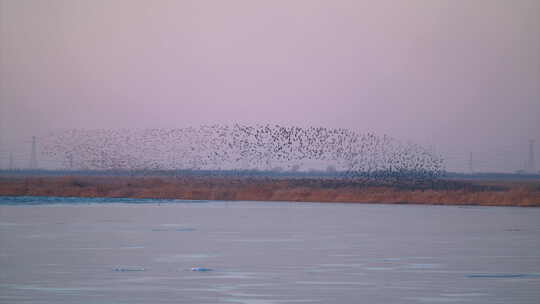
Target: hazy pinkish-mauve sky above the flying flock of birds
[[457, 75]]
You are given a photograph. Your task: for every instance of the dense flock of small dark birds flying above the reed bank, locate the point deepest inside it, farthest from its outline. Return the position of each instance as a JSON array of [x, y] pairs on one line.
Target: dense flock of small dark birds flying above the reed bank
[[243, 147]]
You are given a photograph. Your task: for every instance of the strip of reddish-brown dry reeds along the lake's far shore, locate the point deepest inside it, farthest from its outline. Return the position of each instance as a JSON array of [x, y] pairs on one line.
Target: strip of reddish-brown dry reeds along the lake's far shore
[[484, 193]]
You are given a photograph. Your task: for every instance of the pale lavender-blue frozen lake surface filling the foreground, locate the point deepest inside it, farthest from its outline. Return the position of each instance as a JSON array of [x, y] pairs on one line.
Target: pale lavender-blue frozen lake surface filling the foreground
[[78, 250]]
